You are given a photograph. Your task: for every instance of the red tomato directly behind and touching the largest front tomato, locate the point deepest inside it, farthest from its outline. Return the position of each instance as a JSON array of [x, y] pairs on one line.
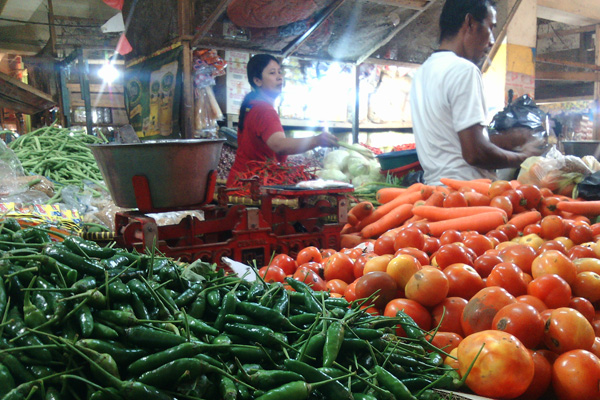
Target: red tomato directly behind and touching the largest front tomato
[[521, 320]]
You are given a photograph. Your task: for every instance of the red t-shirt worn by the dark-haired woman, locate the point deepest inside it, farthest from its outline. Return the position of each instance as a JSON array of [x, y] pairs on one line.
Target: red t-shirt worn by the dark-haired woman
[[260, 123]]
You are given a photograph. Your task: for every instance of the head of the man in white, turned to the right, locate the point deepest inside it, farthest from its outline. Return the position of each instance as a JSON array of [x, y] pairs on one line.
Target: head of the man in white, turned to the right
[[473, 21]]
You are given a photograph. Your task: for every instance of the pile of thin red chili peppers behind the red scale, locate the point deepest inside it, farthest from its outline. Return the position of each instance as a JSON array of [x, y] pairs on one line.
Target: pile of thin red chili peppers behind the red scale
[[272, 173]]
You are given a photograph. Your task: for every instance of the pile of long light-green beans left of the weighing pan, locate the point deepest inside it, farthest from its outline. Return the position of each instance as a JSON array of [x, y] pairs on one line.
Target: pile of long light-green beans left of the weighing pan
[[59, 154]]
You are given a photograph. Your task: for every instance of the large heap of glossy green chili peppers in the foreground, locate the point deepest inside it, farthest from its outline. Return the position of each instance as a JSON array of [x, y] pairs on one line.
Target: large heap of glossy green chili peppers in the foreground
[[80, 321]]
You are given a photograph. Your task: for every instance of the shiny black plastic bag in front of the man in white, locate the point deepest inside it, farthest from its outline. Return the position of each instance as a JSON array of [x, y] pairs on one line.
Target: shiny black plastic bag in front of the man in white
[[523, 112]]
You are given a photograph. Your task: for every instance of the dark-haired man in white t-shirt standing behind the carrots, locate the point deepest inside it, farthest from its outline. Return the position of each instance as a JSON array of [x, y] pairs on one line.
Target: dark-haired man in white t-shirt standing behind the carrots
[[448, 105]]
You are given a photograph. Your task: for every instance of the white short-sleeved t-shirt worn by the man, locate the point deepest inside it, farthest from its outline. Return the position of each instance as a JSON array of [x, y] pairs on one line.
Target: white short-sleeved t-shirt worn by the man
[[446, 97]]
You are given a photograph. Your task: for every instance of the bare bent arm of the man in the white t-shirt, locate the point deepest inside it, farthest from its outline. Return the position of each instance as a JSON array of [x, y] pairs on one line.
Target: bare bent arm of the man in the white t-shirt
[[479, 152]]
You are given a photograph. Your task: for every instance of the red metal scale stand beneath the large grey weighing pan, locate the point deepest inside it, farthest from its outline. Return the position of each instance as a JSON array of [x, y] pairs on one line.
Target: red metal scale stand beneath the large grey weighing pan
[[240, 232]]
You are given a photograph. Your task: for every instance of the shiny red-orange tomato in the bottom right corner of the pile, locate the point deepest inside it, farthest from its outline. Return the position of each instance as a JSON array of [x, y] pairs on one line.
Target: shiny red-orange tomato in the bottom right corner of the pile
[[575, 376]]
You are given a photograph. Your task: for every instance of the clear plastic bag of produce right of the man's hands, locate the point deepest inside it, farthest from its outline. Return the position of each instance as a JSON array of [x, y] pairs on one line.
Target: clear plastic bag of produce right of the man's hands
[[554, 171]]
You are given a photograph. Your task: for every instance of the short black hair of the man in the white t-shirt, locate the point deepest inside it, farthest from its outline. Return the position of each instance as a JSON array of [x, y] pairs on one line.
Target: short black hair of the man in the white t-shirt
[[454, 13]]
